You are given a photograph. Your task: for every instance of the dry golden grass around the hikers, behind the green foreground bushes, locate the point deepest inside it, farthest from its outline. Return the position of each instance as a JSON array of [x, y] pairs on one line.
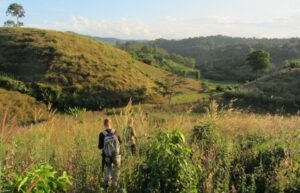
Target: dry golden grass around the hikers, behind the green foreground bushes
[[70, 143]]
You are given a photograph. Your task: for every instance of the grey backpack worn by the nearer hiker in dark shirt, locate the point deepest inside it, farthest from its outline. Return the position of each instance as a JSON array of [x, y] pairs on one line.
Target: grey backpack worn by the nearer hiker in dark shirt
[[111, 144]]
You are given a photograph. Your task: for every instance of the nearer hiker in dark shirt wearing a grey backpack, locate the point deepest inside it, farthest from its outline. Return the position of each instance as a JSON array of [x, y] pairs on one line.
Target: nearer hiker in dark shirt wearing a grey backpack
[[109, 143]]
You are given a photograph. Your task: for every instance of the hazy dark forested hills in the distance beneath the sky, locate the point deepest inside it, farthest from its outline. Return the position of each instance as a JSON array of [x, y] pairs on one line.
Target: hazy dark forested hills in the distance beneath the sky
[[223, 58]]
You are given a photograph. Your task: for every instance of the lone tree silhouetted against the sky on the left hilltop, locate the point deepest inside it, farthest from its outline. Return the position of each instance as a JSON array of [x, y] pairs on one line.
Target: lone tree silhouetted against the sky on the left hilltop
[[15, 10]]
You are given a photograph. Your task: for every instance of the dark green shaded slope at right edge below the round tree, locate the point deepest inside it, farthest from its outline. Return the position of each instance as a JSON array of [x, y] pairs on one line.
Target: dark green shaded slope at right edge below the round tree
[[279, 91]]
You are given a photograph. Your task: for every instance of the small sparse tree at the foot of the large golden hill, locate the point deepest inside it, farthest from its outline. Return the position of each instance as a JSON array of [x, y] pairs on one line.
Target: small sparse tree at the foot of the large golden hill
[[168, 88]]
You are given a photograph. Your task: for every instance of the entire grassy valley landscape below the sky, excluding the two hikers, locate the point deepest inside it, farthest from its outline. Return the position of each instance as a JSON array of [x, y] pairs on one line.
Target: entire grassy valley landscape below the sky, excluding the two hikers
[[204, 123]]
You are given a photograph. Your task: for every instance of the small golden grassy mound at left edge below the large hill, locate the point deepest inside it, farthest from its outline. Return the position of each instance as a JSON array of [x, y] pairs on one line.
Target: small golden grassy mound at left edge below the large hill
[[20, 108]]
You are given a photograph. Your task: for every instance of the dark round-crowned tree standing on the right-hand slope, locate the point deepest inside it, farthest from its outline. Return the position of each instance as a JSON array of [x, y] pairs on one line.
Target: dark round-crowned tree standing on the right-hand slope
[[258, 60]]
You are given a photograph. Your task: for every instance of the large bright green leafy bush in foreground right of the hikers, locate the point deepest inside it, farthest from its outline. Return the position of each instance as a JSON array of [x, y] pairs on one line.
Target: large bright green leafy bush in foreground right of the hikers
[[168, 166]]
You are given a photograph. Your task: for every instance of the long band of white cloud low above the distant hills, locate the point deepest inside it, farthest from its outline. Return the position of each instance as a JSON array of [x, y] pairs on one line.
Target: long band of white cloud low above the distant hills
[[175, 28]]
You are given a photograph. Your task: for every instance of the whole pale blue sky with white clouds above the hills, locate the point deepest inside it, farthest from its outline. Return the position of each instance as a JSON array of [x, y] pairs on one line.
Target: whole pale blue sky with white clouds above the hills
[[169, 19]]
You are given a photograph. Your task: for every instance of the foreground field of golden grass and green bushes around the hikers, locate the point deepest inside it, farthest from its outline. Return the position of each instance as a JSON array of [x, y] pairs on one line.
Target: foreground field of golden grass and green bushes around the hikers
[[231, 151]]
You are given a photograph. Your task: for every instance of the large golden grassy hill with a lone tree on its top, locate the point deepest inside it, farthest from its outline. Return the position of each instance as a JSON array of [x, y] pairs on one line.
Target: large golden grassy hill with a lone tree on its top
[[86, 72]]
